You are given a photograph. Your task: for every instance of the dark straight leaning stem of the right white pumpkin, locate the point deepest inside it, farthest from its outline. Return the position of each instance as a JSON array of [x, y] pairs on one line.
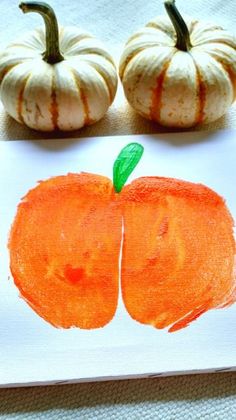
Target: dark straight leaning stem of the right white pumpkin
[[183, 38]]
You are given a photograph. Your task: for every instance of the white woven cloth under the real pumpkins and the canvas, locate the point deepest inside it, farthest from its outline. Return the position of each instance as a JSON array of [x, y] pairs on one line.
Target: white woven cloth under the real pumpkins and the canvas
[[192, 397]]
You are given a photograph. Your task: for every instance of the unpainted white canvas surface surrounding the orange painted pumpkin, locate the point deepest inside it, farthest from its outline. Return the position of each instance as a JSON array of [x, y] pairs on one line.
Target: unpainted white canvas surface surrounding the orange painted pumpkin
[[31, 350]]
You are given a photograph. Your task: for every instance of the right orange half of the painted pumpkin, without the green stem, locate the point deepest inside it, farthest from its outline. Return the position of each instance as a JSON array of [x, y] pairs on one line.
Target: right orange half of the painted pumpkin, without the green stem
[[178, 251]]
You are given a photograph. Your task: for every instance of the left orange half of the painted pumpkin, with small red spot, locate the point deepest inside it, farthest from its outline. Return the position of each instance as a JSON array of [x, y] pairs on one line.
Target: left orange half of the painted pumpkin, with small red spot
[[64, 247]]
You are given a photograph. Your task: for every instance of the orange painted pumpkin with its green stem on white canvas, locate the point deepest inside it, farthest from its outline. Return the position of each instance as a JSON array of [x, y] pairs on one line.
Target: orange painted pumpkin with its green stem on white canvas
[[177, 259]]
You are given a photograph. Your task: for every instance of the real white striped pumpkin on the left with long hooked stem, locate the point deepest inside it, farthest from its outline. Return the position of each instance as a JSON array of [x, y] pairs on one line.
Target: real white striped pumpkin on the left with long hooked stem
[[63, 79]]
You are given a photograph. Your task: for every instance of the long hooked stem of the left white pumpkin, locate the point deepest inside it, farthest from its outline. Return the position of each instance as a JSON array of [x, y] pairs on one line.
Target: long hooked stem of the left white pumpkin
[[52, 53]]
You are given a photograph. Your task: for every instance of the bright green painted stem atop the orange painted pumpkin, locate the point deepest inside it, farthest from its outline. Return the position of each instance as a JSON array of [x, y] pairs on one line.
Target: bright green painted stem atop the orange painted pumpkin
[[125, 163]]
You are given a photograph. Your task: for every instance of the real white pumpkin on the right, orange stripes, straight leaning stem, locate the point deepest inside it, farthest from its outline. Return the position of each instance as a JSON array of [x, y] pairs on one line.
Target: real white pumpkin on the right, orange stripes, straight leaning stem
[[178, 74]]
